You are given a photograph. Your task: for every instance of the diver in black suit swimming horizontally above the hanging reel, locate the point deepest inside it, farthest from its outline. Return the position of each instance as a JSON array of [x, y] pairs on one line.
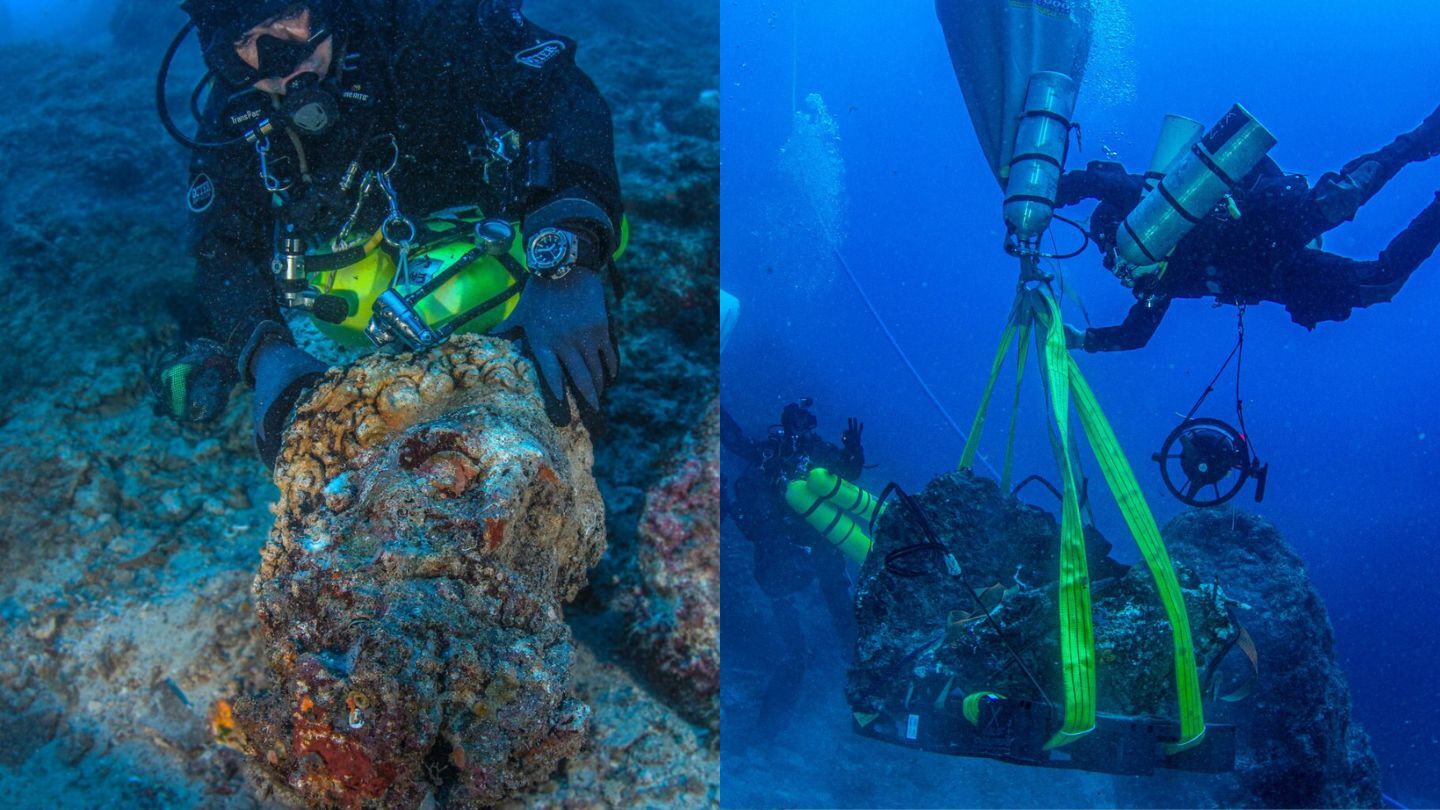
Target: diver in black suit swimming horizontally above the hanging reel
[[1265, 254]]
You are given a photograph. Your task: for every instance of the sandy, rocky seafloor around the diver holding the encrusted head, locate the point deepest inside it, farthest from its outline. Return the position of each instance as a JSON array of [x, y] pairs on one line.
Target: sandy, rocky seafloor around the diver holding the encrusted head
[[129, 544]]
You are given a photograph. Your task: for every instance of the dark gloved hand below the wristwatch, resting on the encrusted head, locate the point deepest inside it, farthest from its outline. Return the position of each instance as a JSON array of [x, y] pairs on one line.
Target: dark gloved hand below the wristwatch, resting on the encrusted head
[[567, 332]]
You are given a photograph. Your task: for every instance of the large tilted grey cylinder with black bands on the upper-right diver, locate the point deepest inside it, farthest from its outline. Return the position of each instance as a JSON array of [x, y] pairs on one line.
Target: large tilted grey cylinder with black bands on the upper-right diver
[[1184, 197]]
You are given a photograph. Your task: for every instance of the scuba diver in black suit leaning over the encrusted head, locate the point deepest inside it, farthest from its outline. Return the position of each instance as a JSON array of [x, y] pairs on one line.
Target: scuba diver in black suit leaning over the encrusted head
[[335, 125]]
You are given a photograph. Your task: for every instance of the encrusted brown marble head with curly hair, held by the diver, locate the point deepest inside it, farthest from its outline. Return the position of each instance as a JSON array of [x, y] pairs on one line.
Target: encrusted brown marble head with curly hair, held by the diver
[[431, 527]]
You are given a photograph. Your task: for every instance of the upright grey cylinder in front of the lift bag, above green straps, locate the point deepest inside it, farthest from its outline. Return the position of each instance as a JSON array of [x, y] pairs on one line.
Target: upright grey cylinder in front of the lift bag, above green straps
[[1040, 153]]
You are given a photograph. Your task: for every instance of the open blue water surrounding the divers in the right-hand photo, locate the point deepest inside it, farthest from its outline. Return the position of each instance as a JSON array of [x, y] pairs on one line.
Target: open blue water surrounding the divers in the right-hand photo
[[1346, 414]]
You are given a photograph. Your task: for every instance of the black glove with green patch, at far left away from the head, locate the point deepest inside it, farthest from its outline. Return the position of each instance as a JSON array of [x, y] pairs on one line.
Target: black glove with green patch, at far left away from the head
[[192, 381]]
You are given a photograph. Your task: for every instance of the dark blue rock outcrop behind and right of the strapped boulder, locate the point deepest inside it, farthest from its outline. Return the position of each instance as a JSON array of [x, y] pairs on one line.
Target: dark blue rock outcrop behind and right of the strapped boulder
[[1298, 746]]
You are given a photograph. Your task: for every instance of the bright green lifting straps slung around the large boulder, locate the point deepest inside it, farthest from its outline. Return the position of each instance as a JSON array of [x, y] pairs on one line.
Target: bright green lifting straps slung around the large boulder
[[1061, 375]]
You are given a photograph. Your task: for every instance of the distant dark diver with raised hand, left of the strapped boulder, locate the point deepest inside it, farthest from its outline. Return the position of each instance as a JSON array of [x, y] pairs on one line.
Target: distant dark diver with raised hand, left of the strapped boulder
[[788, 553]]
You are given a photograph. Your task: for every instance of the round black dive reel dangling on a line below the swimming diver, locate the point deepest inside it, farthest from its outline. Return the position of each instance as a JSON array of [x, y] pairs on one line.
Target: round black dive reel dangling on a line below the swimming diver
[[1206, 462]]
